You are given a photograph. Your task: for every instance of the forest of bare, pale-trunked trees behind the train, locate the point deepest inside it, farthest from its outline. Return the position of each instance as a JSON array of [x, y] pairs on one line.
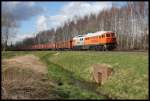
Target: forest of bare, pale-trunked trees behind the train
[[129, 22]]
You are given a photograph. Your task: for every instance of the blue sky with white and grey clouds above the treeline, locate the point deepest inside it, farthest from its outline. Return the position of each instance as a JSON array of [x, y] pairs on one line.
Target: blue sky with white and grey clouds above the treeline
[[38, 16]]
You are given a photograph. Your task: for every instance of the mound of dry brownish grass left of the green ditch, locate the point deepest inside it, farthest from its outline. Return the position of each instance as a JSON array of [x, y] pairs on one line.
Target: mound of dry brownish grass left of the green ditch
[[24, 77]]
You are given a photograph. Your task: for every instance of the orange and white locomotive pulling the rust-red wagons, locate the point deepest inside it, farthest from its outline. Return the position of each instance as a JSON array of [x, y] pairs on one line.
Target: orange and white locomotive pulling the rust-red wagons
[[101, 40]]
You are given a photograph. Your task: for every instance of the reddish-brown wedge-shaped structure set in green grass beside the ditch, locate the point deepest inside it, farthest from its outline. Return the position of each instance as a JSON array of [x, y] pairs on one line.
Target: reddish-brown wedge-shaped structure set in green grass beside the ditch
[[101, 72]]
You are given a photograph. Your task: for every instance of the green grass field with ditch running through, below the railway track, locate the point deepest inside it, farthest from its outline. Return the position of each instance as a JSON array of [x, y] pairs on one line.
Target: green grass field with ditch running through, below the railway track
[[71, 70]]
